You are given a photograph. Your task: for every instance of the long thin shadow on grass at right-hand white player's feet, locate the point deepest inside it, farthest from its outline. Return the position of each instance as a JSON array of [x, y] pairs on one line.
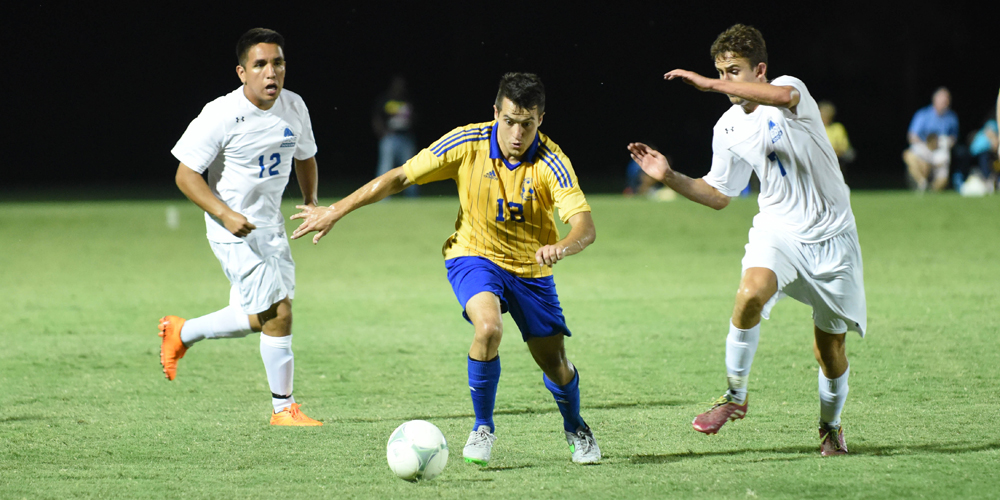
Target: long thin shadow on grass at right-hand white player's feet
[[808, 452]]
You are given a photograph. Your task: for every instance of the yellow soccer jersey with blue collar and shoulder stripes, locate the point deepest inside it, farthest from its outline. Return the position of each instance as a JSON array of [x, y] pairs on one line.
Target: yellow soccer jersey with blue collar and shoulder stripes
[[506, 211]]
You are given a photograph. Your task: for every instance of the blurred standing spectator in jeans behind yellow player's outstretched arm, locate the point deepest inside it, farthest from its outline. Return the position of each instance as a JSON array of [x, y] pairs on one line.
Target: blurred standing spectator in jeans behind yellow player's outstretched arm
[[392, 121]]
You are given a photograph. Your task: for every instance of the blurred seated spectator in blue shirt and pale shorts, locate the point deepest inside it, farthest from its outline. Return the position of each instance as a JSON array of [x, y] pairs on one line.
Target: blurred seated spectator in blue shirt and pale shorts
[[925, 164]]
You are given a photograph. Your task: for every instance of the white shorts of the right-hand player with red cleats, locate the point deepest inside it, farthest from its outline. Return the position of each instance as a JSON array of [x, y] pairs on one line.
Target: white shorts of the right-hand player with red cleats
[[829, 276]]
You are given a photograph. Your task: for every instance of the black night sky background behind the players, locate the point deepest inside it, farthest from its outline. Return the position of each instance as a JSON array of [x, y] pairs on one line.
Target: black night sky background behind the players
[[97, 94]]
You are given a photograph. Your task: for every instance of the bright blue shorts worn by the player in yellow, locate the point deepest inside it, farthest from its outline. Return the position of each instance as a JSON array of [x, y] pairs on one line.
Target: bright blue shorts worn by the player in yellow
[[532, 302]]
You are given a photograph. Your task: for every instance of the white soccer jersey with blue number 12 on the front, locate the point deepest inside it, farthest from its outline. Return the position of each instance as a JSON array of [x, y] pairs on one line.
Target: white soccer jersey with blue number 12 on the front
[[248, 154]]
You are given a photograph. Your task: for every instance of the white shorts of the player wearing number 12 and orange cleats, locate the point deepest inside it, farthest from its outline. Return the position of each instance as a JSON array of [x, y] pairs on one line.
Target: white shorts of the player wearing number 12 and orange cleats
[[260, 269]]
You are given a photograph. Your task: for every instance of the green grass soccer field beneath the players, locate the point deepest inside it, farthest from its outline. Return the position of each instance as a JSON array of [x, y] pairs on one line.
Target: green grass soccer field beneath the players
[[86, 412]]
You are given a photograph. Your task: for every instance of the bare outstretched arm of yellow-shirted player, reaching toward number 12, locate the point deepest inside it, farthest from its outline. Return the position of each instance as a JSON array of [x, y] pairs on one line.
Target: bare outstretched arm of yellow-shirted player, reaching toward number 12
[[322, 219]]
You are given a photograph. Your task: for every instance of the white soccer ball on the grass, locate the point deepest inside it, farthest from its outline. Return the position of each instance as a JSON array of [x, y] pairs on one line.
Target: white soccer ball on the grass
[[416, 450]]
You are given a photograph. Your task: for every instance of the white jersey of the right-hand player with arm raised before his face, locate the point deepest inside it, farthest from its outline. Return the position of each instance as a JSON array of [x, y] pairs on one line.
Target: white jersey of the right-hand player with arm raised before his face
[[802, 192]]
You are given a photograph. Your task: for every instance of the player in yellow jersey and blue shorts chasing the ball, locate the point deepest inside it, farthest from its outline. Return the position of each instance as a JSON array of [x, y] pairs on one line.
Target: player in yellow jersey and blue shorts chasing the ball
[[510, 180]]
